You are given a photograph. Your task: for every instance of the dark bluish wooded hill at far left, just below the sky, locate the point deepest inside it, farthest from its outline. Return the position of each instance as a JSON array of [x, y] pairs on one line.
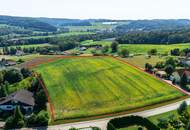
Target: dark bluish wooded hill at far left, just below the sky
[[27, 23]]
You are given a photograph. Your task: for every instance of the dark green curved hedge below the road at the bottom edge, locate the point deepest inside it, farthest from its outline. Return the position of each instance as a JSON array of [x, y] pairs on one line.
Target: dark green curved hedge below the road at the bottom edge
[[124, 122]]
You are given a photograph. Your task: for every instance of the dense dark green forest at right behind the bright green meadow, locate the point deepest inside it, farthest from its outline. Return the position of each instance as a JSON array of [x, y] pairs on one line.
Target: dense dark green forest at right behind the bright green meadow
[[156, 37]]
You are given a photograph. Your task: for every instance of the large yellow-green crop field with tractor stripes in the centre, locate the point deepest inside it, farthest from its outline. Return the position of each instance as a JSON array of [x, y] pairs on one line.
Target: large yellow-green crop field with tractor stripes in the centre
[[90, 86]]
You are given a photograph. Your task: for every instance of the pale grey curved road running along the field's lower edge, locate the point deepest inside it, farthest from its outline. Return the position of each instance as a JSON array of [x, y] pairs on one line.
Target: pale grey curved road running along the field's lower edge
[[102, 123]]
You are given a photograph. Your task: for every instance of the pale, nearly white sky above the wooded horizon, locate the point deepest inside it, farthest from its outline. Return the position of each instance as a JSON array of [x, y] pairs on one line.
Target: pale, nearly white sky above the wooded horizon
[[111, 9]]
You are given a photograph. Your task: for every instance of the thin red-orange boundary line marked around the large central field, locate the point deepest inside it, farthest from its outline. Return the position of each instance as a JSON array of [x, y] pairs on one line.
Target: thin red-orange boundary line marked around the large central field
[[102, 116]]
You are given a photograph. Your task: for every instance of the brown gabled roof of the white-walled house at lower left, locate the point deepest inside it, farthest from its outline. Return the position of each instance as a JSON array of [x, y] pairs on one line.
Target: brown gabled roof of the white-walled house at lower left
[[23, 96]]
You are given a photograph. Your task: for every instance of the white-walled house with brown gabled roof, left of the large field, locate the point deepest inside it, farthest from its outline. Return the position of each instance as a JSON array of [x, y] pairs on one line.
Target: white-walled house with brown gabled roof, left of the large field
[[22, 98]]
